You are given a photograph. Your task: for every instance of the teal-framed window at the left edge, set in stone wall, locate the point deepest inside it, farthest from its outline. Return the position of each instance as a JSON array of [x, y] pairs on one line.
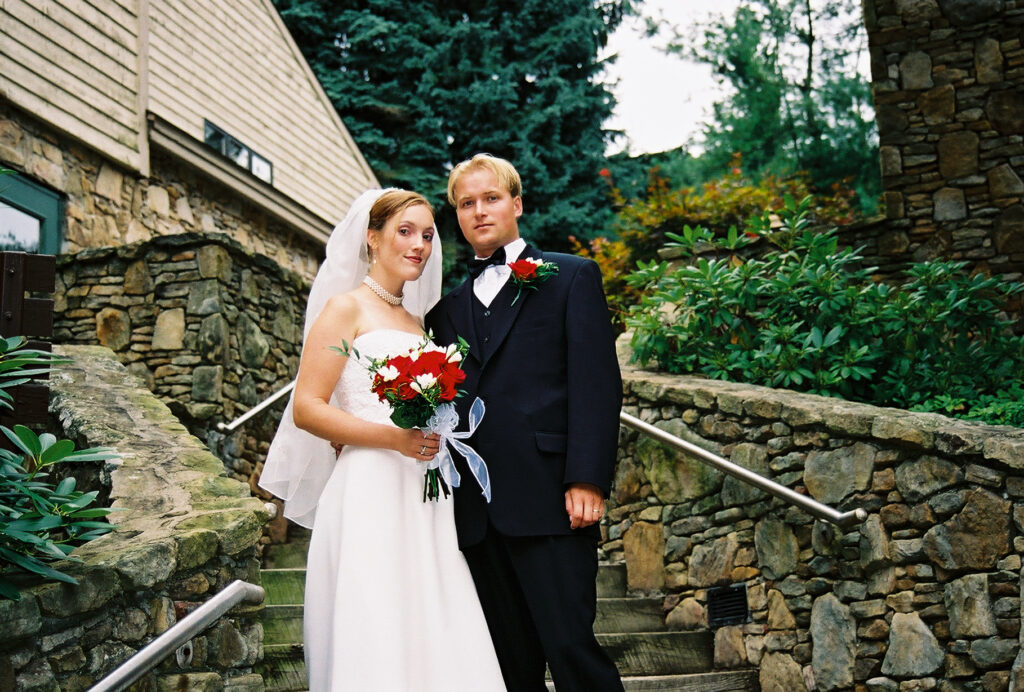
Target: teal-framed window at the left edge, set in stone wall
[[30, 217]]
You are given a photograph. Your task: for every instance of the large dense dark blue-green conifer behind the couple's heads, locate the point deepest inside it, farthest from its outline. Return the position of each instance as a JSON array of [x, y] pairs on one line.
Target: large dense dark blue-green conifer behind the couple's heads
[[423, 84]]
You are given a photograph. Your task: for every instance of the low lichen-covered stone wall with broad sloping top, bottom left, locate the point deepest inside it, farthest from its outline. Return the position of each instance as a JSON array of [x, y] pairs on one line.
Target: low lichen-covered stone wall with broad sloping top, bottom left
[[184, 533]]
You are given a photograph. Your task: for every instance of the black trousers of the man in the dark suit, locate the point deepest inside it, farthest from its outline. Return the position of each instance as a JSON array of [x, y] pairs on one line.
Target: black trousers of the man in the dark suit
[[540, 599]]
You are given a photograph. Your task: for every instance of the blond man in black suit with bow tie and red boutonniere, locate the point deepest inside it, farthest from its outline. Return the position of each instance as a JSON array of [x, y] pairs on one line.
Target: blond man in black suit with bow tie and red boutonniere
[[542, 358]]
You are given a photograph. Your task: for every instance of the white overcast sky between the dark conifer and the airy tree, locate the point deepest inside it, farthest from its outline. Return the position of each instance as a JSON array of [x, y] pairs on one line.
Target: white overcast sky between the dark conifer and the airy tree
[[662, 99]]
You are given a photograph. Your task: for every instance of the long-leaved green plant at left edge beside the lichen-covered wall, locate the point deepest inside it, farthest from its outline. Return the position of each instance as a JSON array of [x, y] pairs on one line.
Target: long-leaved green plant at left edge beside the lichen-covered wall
[[42, 518]]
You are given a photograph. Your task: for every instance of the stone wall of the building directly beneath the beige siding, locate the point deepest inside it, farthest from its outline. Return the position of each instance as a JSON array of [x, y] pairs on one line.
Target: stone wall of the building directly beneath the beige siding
[[108, 206]]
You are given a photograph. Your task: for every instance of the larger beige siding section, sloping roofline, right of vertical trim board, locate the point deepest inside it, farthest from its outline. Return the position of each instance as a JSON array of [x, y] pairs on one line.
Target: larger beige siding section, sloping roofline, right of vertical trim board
[[197, 73]]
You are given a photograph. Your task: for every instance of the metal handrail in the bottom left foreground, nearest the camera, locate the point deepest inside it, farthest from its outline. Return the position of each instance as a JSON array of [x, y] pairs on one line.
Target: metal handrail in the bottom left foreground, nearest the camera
[[198, 621]]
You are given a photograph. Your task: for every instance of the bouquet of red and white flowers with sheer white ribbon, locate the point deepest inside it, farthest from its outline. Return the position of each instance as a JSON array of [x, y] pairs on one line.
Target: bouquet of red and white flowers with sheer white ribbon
[[419, 385]]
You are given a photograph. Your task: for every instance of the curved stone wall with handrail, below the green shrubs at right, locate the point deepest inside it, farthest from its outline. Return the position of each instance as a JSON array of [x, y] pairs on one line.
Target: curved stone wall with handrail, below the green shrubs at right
[[925, 595]]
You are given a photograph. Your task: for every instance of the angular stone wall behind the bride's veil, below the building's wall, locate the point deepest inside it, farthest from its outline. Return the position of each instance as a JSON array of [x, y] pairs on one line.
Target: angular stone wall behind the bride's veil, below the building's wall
[[211, 328]]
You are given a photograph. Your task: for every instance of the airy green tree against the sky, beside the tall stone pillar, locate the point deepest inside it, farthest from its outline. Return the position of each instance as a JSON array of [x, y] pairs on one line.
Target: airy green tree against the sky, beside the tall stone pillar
[[796, 101]]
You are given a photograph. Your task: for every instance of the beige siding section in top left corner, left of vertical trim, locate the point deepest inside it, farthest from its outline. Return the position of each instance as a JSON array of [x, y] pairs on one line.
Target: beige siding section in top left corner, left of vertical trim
[[75, 65]]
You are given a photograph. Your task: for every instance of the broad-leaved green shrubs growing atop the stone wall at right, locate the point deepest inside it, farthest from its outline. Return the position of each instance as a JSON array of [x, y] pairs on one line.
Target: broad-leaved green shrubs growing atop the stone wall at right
[[807, 316]]
